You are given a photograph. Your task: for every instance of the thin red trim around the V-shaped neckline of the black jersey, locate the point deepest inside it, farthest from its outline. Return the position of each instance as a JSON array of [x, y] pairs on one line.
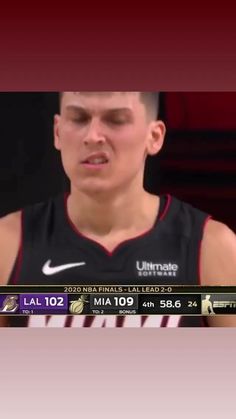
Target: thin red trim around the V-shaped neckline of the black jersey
[[109, 253]]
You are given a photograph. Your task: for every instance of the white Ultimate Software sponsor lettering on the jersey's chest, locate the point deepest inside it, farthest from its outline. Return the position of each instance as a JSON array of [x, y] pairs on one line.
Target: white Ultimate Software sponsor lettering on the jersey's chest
[[150, 269]]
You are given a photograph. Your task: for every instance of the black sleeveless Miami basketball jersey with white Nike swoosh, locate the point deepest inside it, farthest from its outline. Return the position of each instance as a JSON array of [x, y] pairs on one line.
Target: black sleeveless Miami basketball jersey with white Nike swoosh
[[54, 252]]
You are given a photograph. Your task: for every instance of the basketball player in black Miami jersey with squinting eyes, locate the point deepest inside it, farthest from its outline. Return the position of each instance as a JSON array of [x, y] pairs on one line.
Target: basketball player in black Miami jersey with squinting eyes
[[109, 230]]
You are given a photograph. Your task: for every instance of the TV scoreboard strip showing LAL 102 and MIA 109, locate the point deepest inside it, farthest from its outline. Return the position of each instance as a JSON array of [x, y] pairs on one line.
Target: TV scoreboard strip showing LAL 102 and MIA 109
[[117, 300]]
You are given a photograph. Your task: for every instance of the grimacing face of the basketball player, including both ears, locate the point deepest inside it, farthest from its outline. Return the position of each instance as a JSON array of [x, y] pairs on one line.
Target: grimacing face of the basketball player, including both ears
[[104, 139]]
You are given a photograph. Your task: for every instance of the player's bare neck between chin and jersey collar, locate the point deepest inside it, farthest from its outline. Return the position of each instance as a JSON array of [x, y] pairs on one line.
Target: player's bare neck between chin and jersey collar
[[132, 210]]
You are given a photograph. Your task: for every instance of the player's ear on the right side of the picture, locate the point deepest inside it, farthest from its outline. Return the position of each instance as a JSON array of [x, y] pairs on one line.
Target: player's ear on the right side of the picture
[[156, 137]]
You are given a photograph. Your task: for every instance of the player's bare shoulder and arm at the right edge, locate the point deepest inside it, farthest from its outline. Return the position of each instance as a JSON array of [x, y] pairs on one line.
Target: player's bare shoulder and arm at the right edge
[[218, 263]]
